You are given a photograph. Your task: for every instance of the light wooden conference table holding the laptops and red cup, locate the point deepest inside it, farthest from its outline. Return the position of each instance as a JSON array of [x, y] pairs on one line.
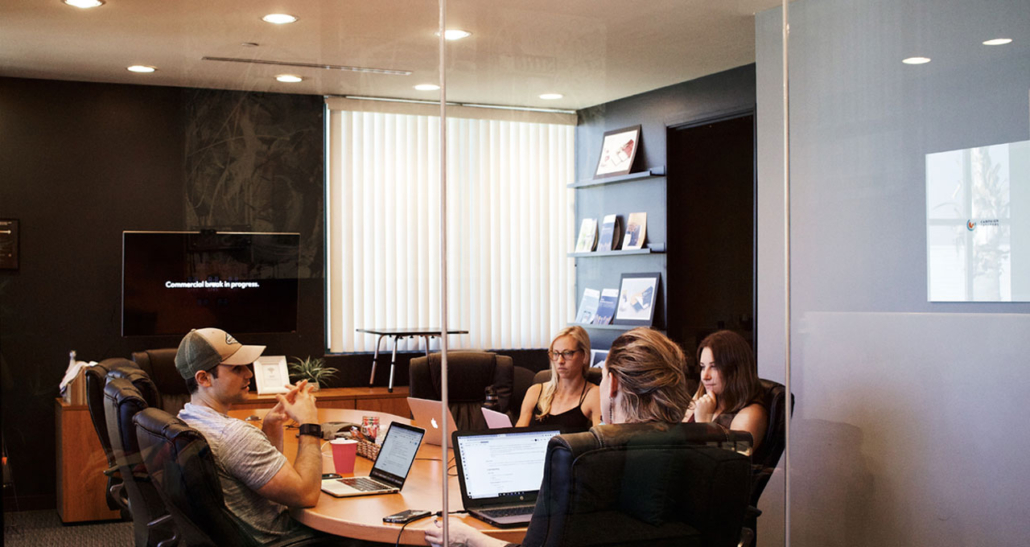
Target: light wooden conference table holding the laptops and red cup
[[361, 518]]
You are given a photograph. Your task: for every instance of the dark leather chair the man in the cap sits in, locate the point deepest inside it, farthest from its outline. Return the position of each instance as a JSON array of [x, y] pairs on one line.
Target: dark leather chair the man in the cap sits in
[[183, 468]]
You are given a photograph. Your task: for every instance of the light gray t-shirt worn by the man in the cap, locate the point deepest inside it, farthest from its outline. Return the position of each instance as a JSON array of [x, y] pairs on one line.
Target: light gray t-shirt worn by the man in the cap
[[247, 461]]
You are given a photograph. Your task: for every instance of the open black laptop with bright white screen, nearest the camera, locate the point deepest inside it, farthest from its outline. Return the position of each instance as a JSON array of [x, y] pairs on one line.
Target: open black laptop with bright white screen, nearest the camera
[[500, 472]]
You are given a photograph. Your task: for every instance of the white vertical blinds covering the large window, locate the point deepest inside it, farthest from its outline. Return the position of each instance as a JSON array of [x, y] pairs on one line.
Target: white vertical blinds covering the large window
[[509, 229]]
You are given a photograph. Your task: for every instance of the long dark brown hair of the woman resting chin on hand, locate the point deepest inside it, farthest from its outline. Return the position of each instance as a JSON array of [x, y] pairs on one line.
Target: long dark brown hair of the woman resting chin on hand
[[736, 363]]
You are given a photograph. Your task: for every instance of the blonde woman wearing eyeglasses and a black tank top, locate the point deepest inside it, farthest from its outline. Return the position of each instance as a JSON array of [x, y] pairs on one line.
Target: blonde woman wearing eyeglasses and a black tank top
[[568, 399]]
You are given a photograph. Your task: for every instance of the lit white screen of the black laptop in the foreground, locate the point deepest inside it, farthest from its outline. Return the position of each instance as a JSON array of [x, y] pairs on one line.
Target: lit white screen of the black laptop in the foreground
[[506, 464]]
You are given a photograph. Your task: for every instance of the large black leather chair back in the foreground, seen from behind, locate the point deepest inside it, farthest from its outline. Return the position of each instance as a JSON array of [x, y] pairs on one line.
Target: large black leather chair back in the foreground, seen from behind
[[643, 485]]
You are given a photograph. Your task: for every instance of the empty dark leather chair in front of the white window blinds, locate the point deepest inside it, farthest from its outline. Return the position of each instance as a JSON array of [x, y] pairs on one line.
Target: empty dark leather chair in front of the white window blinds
[[471, 373]]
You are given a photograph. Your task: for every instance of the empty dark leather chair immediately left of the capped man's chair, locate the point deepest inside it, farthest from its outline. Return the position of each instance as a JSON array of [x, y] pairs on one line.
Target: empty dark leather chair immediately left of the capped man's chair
[[124, 398]]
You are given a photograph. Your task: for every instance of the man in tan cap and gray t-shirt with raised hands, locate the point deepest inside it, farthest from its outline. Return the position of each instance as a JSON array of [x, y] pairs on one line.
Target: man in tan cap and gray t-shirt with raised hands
[[258, 482]]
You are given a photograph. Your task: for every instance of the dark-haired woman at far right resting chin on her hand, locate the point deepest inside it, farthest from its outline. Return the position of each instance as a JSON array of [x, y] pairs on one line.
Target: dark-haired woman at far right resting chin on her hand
[[730, 393]]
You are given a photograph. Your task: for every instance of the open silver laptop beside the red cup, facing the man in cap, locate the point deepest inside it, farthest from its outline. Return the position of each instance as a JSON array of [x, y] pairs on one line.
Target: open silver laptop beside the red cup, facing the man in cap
[[391, 469]]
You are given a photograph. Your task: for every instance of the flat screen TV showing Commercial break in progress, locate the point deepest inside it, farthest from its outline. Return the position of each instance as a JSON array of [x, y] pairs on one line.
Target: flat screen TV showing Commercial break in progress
[[242, 283]]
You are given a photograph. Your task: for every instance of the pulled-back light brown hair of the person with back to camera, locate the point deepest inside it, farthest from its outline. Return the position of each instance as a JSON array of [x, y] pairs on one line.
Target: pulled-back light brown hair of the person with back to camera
[[650, 370]]
